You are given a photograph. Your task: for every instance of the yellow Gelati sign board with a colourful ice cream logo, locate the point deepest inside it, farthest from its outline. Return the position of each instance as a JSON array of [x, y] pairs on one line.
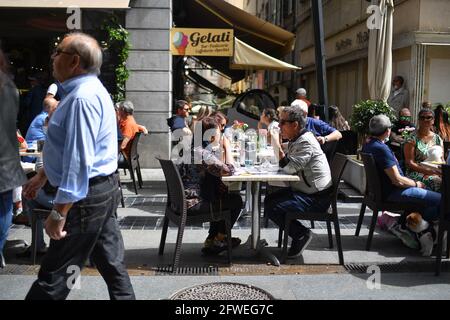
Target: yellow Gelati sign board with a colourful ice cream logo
[[201, 42]]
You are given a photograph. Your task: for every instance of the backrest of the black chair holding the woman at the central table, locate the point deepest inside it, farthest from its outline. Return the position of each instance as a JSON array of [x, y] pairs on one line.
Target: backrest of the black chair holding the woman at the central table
[[176, 197]]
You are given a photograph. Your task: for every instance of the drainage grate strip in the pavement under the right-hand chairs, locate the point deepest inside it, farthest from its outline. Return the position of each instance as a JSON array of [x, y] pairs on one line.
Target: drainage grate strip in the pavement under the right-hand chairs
[[405, 267]]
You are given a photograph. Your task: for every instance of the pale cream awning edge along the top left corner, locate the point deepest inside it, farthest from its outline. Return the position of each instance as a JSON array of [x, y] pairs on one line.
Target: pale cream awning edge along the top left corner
[[86, 4]]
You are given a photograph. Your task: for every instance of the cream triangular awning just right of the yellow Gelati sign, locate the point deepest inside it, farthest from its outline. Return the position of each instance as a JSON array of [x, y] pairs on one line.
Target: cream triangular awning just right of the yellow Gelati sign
[[248, 58]]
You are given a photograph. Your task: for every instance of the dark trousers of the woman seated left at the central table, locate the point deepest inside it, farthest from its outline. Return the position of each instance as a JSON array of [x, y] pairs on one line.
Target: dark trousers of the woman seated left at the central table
[[231, 201]]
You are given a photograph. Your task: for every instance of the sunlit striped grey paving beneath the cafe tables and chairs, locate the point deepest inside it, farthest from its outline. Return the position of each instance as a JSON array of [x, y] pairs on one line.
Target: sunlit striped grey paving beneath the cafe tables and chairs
[[141, 222]]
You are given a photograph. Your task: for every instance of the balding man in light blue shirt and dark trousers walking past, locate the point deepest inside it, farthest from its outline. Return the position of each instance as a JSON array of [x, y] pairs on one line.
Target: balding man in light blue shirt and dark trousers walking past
[[80, 158]]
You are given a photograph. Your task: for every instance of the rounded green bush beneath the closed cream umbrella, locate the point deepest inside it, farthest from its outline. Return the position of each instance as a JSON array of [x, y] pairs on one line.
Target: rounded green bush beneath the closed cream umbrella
[[365, 110]]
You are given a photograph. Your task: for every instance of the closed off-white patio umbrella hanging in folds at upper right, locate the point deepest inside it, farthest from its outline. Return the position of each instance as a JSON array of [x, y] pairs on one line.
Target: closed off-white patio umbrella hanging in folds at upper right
[[380, 53]]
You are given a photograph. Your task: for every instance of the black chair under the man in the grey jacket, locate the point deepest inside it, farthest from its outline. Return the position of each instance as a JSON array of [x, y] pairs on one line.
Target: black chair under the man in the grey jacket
[[337, 169]]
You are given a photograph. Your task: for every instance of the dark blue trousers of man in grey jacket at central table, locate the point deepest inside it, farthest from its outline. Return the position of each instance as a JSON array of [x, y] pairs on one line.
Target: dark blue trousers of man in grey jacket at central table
[[277, 204]]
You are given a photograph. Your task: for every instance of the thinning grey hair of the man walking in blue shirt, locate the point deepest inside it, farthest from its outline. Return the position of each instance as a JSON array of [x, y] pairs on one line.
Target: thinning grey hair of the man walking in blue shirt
[[87, 47]]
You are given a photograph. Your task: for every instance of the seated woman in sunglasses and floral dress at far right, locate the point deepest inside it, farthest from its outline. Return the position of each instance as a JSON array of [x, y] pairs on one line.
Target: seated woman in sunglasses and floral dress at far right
[[418, 148]]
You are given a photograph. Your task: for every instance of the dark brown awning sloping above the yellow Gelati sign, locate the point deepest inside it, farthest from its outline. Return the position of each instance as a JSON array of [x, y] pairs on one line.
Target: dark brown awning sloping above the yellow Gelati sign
[[254, 31]]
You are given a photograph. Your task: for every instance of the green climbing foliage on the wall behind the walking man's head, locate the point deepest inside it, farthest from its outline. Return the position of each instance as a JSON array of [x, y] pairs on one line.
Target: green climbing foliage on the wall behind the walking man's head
[[118, 43]]
